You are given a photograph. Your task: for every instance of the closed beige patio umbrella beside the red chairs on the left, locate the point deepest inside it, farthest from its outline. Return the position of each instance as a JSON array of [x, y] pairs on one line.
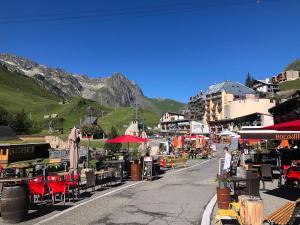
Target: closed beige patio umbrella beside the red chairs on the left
[[73, 141]]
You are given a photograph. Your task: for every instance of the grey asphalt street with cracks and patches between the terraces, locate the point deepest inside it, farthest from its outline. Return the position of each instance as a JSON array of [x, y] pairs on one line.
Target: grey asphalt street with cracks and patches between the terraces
[[179, 197]]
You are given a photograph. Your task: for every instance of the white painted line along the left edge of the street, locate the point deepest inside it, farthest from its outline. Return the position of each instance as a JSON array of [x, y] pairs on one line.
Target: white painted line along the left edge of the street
[[109, 193]]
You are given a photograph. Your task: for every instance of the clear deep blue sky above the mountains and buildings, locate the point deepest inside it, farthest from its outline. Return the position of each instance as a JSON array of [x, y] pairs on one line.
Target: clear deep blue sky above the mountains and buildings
[[171, 48]]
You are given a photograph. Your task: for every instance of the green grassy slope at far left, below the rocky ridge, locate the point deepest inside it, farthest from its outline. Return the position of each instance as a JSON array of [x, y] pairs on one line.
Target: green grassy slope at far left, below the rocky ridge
[[19, 92]]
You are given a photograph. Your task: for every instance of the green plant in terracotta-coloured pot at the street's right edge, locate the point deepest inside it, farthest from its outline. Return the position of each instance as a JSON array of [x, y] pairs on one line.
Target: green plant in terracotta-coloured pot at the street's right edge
[[223, 191]]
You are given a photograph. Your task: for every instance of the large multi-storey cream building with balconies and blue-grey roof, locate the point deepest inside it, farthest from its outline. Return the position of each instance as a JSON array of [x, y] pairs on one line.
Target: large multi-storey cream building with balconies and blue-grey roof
[[209, 105]]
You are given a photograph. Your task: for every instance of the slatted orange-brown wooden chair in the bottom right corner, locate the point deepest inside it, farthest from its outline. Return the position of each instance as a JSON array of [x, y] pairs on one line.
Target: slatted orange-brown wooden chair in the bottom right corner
[[286, 215]]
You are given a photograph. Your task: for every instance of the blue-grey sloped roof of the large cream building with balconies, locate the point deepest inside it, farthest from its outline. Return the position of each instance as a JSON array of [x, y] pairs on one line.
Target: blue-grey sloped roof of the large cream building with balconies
[[230, 87]]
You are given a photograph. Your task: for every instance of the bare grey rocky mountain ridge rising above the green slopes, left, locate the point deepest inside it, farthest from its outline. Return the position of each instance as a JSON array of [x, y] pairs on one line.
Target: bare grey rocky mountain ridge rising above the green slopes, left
[[115, 90]]
